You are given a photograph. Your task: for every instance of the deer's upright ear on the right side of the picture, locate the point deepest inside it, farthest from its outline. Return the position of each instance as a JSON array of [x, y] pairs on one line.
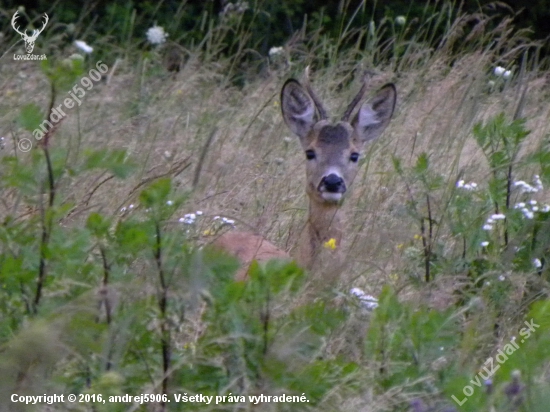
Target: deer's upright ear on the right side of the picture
[[375, 114]]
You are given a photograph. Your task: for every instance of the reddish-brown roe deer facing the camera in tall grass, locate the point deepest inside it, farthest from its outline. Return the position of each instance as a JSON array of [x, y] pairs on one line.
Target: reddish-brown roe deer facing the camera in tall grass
[[332, 151]]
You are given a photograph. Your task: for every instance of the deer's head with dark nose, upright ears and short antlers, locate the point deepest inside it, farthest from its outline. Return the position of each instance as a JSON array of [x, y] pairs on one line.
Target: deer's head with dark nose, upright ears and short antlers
[[333, 149]]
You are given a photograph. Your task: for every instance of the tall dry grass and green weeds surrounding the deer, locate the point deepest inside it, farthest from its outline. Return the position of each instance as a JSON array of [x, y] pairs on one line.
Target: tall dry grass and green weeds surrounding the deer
[[107, 284]]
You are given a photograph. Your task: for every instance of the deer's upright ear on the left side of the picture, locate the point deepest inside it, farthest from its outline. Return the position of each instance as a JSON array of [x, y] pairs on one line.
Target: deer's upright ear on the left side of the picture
[[298, 109]]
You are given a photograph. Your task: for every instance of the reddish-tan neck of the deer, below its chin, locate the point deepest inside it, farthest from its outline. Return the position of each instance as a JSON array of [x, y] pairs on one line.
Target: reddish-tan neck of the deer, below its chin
[[323, 230]]
